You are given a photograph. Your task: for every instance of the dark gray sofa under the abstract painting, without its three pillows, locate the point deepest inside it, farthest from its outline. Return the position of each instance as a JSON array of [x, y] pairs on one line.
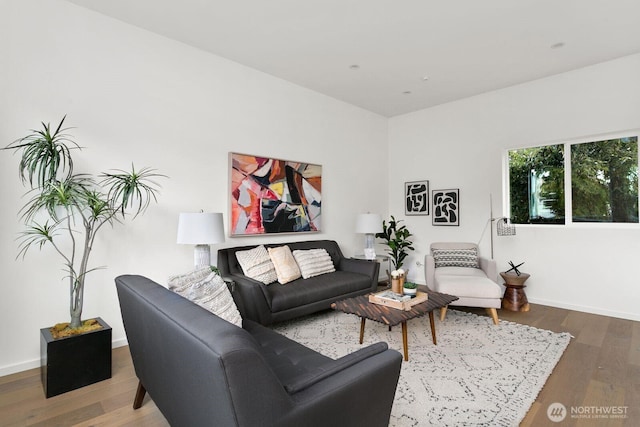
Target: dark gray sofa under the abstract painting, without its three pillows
[[275, 303]]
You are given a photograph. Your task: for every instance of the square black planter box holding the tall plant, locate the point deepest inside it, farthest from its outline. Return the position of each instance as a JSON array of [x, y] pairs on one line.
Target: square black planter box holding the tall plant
[[73, 362]]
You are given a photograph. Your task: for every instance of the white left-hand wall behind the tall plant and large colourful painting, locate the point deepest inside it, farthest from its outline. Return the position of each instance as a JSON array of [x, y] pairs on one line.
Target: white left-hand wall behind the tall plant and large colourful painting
[[135, 96]]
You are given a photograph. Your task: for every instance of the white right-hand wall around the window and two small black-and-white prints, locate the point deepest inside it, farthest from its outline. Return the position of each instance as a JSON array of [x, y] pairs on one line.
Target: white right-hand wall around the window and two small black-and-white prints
[[461, 145]]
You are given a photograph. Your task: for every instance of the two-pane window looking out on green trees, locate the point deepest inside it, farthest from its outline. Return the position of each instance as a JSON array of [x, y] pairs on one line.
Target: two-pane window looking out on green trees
[[602, 185]]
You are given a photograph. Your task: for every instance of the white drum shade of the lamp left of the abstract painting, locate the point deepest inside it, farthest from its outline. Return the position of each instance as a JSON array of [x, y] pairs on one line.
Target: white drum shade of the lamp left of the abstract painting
[[202, 228]]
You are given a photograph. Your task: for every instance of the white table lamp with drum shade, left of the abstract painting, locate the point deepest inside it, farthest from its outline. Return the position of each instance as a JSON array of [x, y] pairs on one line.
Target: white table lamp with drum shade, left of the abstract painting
[[201, 229]]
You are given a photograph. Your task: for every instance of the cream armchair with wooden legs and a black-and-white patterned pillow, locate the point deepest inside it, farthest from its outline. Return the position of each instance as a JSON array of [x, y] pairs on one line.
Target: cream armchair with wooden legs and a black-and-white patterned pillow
[[449, 269]]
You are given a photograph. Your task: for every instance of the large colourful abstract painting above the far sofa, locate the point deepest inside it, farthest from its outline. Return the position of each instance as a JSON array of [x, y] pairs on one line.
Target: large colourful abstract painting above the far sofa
[[274, 196]]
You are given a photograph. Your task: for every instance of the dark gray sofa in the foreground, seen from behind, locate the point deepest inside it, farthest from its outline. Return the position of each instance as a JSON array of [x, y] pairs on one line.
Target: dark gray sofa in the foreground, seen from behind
[[201, 370]]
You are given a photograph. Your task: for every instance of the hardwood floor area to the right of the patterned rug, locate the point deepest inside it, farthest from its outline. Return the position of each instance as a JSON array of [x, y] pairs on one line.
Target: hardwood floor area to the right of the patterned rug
[[600, 368]]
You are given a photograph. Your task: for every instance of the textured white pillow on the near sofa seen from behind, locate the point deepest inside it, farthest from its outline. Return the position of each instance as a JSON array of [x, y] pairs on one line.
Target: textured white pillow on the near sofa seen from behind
[[207, 289]]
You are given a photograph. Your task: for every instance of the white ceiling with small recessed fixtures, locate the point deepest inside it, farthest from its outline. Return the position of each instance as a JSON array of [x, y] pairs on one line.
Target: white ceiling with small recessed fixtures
[[465, 47]]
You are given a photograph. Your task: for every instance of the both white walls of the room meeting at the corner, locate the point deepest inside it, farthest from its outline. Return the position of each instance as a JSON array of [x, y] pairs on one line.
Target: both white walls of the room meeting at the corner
[[134, 96]]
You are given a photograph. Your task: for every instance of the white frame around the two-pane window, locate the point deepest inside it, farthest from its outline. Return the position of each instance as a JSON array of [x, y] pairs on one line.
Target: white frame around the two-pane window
[[568, 196]]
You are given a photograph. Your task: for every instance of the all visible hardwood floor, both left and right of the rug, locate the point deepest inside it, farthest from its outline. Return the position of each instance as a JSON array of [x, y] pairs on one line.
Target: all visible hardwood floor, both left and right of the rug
[[599, 369]]
